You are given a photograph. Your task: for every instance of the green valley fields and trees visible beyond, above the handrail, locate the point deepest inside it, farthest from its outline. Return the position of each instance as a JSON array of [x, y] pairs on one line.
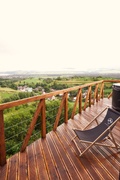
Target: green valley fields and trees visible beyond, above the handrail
[[9, 87]]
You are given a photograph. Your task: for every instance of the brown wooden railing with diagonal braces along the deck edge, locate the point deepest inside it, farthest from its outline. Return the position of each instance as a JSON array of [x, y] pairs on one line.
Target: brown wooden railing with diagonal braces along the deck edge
[[91, 98]]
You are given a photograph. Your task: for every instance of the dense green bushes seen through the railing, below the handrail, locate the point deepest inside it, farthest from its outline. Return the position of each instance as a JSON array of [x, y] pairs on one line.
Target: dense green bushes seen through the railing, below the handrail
[[18, 119]]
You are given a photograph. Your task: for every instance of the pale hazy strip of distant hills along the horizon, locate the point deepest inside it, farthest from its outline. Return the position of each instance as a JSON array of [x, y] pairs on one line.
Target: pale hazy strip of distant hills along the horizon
[[90, 72]]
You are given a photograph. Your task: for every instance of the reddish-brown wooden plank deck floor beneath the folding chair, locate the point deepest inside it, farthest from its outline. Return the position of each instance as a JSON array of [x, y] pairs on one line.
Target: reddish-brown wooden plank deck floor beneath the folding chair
[[56, 156]]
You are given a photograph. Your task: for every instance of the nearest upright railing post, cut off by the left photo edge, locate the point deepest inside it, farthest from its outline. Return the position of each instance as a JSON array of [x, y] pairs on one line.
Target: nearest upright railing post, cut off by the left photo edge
[[2, 140]]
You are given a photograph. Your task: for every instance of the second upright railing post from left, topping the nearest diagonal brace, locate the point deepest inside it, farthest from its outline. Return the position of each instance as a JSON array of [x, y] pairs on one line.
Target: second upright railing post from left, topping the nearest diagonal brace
[[43, 115]]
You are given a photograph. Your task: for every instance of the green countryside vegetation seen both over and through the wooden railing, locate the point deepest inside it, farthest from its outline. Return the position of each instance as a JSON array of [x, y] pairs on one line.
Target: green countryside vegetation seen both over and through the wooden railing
[[17, 119]]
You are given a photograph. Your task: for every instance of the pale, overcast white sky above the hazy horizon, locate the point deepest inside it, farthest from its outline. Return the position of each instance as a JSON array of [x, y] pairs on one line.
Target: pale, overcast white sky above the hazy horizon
[[59, 35]]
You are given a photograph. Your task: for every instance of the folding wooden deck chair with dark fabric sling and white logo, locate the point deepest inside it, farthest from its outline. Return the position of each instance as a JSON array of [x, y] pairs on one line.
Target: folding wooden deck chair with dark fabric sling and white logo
[[100, 133]]
